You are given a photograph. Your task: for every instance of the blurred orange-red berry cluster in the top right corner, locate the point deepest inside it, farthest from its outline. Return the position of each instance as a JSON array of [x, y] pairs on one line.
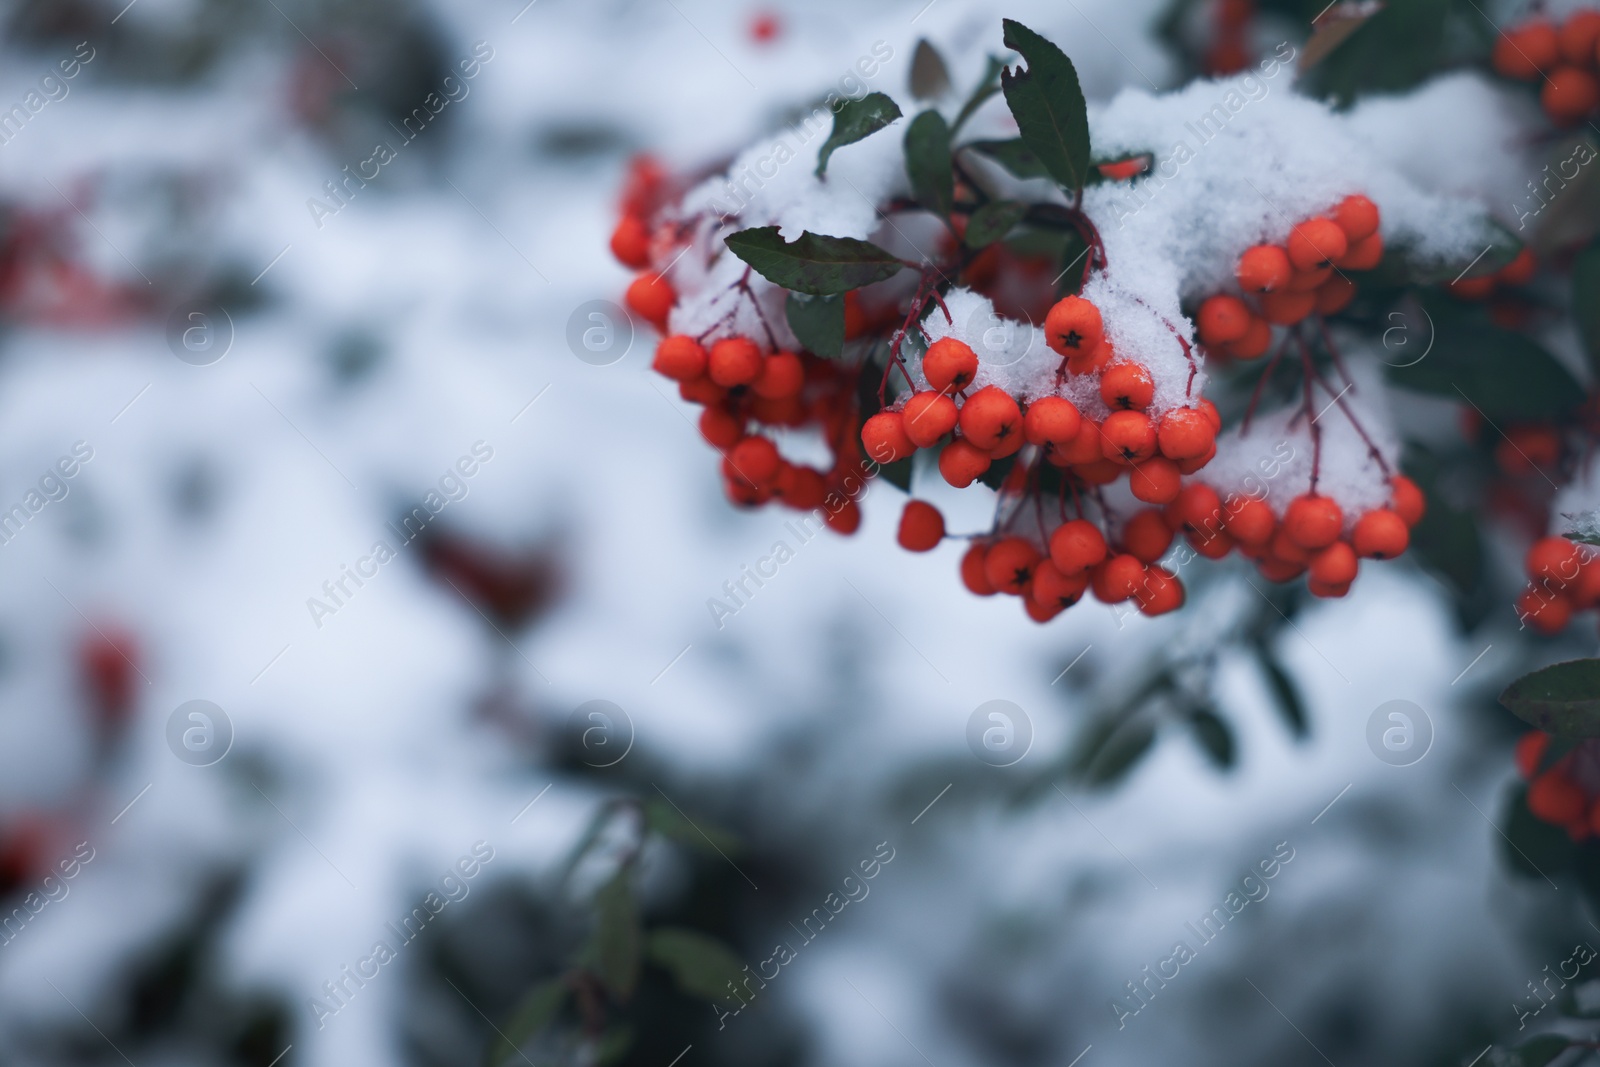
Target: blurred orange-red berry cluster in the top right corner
[[1566, 58]]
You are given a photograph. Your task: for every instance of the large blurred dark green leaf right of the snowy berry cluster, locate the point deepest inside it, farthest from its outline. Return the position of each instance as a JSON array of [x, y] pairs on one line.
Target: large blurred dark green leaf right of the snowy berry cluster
[[1505, 374]]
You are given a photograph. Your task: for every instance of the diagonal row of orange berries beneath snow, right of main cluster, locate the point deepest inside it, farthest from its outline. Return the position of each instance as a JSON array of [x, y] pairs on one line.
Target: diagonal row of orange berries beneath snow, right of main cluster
[[1294, 281]]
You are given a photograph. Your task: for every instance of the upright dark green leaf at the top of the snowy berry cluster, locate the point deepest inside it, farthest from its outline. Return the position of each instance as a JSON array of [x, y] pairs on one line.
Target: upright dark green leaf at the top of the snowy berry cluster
[[1049, 106]]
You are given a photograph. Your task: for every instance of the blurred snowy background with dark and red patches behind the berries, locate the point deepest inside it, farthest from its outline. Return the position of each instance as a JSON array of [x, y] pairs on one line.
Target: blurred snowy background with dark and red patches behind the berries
[[359, 695]]
